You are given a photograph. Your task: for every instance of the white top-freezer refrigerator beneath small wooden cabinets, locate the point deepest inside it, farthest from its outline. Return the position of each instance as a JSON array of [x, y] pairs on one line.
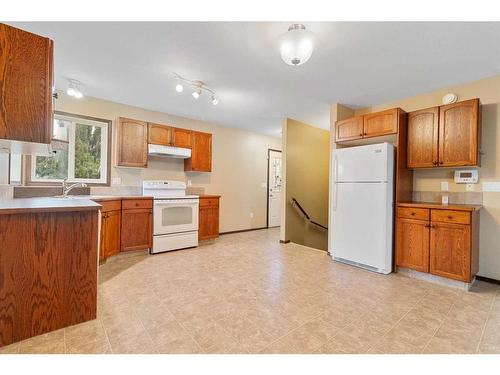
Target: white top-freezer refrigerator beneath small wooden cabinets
[[362, 206]]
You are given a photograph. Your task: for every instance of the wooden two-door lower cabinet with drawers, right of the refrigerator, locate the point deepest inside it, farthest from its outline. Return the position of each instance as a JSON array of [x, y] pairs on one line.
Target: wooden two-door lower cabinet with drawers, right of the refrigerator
[[446, 244]]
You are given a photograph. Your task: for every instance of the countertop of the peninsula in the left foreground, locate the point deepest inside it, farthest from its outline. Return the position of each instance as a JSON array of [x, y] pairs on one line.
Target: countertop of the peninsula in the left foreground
[[28, 205]]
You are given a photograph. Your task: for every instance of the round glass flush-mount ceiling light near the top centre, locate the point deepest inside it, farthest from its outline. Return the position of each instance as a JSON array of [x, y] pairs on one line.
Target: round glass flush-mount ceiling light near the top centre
[[296, 45]]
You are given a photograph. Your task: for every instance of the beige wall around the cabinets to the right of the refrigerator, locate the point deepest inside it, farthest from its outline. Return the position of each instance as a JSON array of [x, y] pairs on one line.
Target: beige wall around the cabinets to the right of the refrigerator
[[488, 90]]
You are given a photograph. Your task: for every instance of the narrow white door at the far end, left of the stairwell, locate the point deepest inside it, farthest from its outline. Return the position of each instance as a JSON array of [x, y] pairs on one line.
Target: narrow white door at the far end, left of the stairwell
[[274, 188]]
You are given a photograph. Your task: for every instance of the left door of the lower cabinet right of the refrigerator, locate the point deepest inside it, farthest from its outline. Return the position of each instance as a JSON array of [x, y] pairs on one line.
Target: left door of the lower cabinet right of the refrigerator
[[412, 244]]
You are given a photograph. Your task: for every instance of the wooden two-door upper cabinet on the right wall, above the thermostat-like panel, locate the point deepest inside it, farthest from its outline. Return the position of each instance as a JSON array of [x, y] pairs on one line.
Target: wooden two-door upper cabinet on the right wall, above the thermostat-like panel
[[445, 136]]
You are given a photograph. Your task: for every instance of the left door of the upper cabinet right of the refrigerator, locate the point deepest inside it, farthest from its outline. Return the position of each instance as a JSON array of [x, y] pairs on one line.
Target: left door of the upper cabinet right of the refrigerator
[[423, 134]]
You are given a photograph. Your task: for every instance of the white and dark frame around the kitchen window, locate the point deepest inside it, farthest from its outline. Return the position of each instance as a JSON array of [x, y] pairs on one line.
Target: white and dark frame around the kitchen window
[[105, 180]]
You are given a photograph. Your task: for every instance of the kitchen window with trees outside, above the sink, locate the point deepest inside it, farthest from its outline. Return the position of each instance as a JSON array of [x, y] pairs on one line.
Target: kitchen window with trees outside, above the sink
[[80, 147]]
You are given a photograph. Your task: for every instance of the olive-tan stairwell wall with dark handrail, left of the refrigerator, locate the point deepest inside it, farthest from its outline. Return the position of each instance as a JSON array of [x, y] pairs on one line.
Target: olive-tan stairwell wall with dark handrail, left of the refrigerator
[[306, 155]]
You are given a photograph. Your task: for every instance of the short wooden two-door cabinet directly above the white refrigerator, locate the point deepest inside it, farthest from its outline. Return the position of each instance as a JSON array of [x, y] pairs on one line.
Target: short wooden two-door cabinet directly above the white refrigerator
[[367, 126]]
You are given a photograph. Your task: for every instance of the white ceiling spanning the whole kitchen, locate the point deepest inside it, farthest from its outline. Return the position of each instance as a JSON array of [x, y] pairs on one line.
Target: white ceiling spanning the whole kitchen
[[358, 64]]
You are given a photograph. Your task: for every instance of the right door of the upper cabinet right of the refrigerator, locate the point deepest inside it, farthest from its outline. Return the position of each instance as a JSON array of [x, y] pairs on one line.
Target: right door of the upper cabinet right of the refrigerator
[[459, 134]]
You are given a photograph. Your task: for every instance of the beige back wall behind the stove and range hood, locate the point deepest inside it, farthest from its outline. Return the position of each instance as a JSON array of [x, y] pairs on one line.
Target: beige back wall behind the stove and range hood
[[239, 164]]
